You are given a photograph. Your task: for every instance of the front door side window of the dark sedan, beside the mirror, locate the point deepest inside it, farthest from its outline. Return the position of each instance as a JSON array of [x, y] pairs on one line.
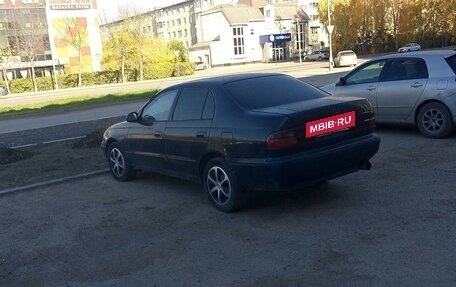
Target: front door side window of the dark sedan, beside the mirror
[[159, 108]]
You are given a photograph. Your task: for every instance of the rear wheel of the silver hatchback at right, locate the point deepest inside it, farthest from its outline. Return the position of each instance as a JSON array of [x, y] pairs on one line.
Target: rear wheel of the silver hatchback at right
[[435, 120]]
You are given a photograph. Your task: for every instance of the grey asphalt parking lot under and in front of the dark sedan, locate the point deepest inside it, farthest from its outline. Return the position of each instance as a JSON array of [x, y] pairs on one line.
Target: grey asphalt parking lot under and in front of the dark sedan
[[391, 226]]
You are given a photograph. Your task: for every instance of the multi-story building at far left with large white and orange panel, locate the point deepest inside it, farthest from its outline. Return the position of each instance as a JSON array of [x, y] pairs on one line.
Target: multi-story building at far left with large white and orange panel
[[42, 34]]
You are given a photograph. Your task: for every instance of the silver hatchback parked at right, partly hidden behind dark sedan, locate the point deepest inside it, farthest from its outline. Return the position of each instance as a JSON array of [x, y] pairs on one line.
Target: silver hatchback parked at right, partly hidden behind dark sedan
[[418, 88]]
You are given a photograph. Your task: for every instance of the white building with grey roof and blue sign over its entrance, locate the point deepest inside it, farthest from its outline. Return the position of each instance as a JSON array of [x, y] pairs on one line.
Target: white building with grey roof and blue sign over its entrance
[[243, 34]]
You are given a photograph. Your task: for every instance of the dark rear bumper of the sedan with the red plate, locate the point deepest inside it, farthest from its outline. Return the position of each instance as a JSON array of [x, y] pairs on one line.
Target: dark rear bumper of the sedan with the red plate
[[292, 172]]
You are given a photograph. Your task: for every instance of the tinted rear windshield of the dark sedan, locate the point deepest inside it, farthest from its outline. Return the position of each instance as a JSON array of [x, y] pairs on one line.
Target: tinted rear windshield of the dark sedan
[[270, 91]]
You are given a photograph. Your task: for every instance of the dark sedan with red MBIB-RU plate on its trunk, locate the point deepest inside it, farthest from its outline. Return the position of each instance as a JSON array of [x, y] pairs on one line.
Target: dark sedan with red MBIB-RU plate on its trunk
[[238, 133]]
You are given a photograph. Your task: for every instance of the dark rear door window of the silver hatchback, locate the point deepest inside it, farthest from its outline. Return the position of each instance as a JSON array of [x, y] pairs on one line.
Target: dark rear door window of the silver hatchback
[[406, 69]]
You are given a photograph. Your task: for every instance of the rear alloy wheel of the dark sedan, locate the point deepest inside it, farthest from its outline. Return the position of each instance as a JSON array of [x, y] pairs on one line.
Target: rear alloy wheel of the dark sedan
[[221, 186]]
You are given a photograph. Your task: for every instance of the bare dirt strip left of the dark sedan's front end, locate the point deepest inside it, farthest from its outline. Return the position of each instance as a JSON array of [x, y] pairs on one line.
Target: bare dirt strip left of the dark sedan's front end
[[43, 162]]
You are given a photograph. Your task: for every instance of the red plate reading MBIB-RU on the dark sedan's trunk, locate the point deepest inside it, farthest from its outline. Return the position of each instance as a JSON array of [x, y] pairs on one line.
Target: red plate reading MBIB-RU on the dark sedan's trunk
[[330, 124]]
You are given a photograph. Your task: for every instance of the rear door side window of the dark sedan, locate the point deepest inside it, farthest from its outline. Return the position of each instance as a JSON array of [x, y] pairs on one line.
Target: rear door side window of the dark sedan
[[190, 104]]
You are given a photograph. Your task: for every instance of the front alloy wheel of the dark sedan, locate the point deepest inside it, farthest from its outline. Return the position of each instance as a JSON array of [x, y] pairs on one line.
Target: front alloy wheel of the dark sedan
[[118, 163]]
